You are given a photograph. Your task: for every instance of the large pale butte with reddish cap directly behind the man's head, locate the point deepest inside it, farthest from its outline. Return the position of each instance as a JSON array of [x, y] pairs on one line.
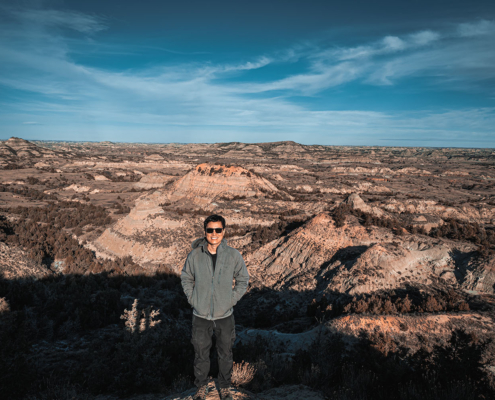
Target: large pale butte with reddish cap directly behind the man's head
[[152, 236]]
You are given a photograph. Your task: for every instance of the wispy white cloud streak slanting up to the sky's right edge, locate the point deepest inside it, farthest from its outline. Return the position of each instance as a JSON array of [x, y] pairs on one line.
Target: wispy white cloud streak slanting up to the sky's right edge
[[381, 63]]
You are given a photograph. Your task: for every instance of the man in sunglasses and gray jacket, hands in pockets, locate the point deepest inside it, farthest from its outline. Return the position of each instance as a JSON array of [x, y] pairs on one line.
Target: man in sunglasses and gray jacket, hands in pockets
[[207, 278]]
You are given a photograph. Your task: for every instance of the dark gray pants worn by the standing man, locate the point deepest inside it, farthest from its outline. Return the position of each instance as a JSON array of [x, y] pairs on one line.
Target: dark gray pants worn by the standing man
[[201, 339]]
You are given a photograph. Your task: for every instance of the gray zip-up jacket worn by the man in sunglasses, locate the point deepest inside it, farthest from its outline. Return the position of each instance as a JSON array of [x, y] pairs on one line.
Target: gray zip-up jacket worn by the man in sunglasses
[[210, 293]]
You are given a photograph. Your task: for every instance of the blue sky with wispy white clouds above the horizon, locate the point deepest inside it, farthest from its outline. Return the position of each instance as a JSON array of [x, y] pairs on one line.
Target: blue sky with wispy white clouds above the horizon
[[387, 73]]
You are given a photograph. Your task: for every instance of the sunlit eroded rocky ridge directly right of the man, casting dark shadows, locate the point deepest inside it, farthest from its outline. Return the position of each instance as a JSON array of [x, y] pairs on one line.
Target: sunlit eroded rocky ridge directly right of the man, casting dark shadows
[[355, 259]]
